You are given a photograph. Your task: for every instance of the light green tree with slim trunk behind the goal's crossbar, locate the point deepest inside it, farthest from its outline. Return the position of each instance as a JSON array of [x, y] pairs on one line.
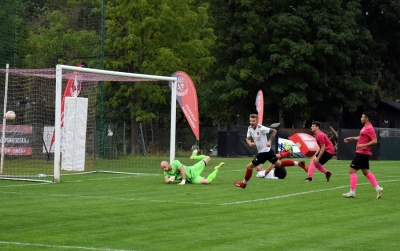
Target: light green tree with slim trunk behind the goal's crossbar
[[154, 37]]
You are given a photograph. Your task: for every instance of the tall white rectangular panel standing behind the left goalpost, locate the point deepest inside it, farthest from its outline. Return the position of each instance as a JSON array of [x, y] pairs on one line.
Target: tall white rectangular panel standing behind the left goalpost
[[74, 134]]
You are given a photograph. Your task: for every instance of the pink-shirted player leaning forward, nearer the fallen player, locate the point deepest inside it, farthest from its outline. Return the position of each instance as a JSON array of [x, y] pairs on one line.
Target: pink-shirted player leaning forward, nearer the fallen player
[[325, 153]]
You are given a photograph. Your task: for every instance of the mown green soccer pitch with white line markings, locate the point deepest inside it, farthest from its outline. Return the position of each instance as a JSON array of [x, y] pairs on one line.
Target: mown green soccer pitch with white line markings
[[141, 213]]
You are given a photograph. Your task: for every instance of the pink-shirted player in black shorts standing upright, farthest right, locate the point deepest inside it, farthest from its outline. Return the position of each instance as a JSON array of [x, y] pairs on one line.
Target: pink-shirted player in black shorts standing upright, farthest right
[[365, 140]]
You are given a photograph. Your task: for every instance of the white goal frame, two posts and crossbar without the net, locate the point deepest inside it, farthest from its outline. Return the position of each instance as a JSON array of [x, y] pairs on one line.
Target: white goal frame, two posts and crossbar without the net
[[57, 119]]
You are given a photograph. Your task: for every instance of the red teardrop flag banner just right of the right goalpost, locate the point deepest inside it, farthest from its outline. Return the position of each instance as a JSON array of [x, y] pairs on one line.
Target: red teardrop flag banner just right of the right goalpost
[[187, 98]]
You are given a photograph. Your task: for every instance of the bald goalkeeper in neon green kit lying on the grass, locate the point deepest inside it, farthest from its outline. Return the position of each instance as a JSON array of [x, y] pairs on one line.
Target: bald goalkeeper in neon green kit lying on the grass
[[191, 174]]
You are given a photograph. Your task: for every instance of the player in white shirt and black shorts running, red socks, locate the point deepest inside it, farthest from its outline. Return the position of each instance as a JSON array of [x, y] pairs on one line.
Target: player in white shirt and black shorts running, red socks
[[259, 135]]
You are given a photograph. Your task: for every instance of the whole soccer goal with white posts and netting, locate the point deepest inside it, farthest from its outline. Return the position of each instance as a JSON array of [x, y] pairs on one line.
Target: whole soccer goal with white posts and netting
[[60, 127]]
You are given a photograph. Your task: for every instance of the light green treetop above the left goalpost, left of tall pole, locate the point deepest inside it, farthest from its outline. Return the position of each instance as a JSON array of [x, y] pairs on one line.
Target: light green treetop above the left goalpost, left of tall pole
[[65, 34]]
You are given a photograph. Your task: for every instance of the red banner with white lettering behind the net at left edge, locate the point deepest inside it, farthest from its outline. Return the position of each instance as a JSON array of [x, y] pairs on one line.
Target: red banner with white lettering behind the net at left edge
[[18, 140]]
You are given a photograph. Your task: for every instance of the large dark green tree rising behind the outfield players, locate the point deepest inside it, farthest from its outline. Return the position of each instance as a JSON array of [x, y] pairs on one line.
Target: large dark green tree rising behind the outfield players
[[310, 58]]
